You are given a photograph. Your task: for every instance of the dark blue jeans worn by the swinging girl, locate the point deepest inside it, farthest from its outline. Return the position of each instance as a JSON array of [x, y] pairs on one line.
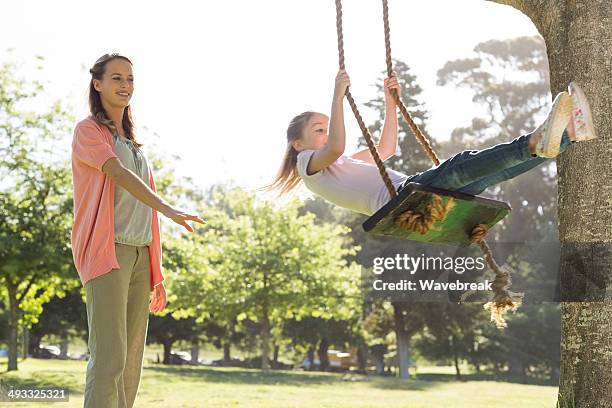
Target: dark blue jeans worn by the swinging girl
[[472, 171]]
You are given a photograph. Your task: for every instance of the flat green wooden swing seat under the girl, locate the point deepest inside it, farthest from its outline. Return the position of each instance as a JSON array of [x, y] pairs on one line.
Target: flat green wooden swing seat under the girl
[[455, 228]]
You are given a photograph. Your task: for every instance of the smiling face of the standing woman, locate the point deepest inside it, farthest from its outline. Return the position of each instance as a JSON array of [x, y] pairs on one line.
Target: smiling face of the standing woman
[[117, 84]]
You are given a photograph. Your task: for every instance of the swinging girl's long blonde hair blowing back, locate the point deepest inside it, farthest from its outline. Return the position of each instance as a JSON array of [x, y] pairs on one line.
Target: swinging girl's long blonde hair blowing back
[[287, 177]]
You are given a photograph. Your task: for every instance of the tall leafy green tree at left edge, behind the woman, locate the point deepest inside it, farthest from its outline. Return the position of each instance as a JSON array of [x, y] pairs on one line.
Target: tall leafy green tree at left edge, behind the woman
[[35, 204]]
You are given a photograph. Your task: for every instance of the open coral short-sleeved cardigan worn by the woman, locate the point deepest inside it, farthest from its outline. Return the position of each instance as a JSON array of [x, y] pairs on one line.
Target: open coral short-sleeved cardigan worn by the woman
[[93, 231]]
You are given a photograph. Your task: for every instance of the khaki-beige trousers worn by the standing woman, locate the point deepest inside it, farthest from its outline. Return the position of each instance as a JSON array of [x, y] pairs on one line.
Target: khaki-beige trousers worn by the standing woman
[[117, 315]]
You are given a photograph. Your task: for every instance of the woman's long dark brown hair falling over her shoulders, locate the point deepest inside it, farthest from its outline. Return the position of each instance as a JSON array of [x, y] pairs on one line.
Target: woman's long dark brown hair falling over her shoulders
[[95, 102]]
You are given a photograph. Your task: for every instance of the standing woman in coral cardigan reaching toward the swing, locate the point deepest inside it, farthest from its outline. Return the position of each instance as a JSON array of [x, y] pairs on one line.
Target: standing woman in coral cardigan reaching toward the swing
[[115, 236]]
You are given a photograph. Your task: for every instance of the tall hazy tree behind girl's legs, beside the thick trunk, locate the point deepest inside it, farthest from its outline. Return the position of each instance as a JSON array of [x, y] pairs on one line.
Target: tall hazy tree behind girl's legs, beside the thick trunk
[[509, 79]]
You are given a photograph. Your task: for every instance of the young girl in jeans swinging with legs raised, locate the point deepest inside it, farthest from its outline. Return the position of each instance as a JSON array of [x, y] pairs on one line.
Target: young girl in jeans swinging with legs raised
[[316, 155]]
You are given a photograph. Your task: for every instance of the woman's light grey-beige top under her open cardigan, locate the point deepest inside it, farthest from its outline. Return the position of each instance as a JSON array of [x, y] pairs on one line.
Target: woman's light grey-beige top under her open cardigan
[[133, 218]]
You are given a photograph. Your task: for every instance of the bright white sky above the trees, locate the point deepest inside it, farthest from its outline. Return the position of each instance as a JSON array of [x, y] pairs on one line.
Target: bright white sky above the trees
[[220, 80]]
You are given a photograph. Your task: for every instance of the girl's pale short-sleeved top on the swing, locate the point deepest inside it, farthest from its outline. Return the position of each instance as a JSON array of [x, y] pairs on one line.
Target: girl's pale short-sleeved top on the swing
[[349, 183]]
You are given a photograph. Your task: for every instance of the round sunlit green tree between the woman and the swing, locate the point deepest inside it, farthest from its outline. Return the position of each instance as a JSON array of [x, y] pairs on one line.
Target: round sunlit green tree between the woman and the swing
[[272, 265]]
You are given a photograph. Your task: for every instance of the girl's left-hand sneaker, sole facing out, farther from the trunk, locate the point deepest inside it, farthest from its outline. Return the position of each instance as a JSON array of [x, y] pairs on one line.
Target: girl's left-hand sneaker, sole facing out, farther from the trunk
[[548, 135]]
